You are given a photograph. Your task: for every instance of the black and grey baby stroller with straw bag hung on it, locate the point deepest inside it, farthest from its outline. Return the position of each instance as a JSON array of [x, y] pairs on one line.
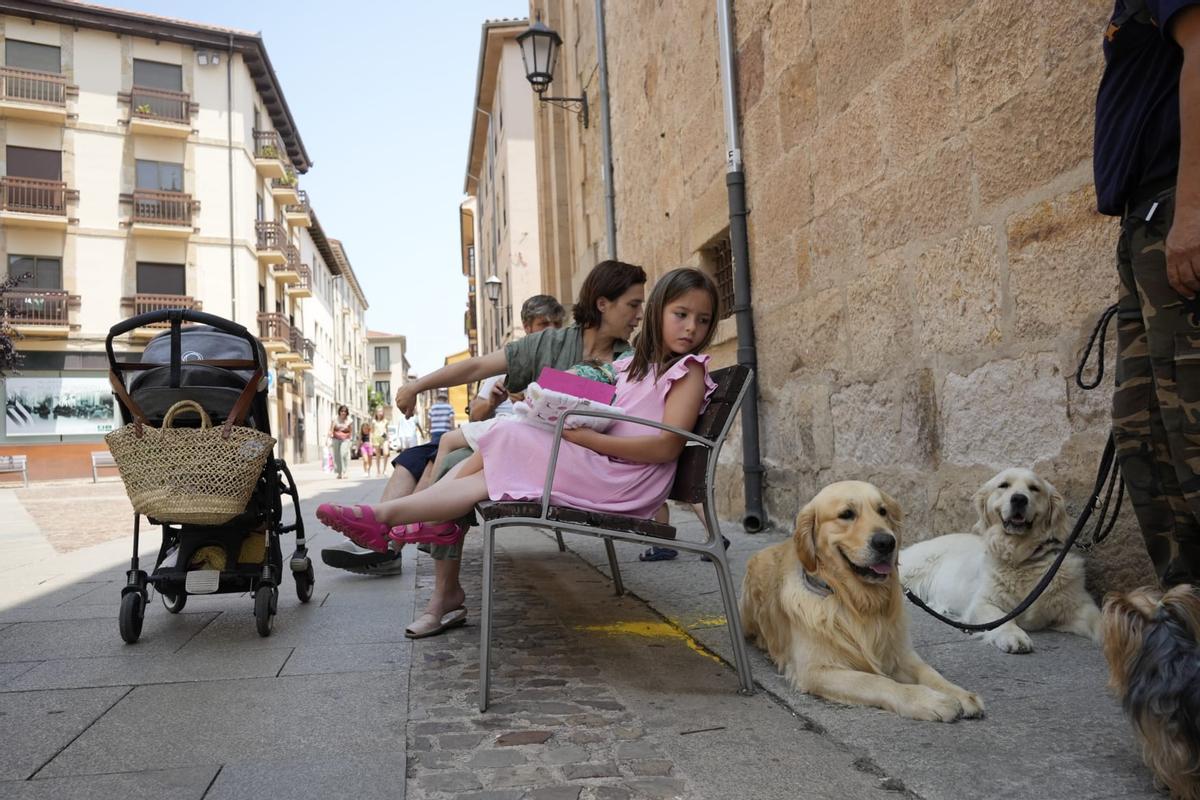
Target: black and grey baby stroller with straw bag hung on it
[[214, 363]]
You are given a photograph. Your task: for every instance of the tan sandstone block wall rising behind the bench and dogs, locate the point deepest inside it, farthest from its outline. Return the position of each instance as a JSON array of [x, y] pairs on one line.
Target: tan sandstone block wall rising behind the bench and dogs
[[926, 256]]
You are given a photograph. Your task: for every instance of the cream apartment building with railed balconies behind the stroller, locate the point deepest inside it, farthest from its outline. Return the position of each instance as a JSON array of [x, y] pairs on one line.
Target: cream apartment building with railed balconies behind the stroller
[[154, 164]]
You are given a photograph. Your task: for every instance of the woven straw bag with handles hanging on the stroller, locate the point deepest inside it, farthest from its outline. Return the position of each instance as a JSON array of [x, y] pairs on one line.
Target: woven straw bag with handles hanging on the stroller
[[202, 477]]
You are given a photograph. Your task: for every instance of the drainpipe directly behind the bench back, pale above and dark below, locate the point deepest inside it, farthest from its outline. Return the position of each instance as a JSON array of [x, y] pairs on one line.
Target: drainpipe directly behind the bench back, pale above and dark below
[[754, 518]]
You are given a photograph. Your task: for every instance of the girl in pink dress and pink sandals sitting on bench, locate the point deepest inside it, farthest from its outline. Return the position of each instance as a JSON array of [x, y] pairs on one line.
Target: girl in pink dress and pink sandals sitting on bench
[[625, 471]]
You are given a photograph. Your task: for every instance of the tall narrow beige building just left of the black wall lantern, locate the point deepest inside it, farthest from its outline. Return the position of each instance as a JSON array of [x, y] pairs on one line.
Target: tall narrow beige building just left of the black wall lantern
[[500, 221]]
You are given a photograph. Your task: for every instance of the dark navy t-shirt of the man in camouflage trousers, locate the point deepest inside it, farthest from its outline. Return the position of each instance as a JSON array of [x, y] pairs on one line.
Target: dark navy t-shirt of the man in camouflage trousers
[[1138, 107]]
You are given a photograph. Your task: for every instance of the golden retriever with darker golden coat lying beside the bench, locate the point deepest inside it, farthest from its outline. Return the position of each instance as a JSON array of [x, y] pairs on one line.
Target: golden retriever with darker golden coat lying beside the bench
[[827, 607]]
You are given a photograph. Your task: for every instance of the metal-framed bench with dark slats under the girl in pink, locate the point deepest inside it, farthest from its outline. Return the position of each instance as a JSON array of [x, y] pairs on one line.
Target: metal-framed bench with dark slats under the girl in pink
[[695, 476]]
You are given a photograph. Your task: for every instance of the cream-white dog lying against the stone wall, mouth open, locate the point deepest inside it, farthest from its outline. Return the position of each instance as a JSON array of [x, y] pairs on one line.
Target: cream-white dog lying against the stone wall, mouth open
[[982, 576]]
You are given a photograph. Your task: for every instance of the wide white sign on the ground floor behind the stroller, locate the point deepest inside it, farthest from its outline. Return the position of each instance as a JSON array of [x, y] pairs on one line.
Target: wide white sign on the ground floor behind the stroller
[[58, 407]]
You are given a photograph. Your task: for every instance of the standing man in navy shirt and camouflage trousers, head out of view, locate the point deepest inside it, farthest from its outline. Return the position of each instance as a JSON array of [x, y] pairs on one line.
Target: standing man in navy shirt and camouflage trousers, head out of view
[[1148, 148]]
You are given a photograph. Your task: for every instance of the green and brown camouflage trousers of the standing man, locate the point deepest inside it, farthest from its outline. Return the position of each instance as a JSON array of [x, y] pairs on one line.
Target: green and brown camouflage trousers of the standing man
[[1156, 407]]
